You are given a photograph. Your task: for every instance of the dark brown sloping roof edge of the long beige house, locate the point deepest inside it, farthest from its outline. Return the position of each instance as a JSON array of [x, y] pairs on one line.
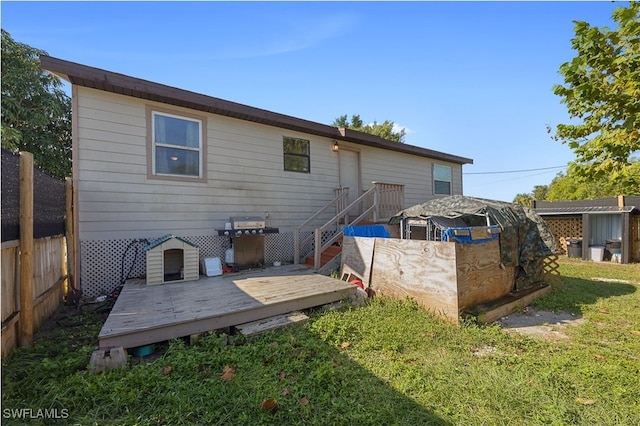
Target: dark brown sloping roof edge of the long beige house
[[108, 81]]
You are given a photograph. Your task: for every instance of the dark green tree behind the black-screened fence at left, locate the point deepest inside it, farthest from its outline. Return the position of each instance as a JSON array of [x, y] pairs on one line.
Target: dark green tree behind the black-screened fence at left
[[36, 112]]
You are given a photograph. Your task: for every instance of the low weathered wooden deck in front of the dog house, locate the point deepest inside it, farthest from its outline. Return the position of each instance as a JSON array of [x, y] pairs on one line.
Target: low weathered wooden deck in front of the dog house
[[149, 314]]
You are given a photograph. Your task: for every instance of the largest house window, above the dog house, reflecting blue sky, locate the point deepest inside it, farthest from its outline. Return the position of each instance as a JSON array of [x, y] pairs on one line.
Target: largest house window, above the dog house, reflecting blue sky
[[177, 145]]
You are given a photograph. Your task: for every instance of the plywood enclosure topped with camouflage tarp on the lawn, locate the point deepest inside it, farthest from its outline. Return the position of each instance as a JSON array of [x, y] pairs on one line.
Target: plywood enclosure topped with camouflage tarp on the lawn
[[475, 252]]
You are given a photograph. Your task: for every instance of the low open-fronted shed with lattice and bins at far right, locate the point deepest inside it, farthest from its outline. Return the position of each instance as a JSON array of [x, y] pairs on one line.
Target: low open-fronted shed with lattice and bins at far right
[[602, 229]]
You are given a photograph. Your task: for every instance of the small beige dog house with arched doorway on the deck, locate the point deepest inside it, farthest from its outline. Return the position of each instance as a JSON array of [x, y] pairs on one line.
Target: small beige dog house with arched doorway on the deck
[[172, 259]]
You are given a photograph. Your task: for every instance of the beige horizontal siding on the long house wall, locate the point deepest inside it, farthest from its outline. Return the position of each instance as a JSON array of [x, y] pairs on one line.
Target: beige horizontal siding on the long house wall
[[245, 174]]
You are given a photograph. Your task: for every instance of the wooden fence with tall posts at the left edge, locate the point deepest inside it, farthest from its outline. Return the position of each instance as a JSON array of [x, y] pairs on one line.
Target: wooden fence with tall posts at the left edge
[[34, 272]]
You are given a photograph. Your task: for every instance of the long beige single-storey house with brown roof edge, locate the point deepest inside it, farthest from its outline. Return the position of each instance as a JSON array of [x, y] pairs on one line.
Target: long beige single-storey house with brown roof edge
[[151, 160]]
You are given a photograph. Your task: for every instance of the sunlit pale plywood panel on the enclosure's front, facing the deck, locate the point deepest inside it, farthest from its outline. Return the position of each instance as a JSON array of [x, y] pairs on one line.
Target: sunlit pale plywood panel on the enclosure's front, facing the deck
[[422, 270]]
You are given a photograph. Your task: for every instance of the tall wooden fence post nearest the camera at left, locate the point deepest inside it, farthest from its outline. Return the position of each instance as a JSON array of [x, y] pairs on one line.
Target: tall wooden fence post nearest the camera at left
[[26, 249]]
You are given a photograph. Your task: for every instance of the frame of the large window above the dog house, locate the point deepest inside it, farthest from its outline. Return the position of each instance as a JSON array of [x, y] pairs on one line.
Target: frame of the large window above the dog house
[[152, 113]]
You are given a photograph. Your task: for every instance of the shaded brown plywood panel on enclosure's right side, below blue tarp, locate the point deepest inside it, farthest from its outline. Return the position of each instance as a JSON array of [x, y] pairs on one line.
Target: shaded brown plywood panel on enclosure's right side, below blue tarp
[[480, 277]]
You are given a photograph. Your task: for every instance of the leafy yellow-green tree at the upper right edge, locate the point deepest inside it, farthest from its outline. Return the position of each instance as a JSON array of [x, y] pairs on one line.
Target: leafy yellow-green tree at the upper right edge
[[602, 93]]
